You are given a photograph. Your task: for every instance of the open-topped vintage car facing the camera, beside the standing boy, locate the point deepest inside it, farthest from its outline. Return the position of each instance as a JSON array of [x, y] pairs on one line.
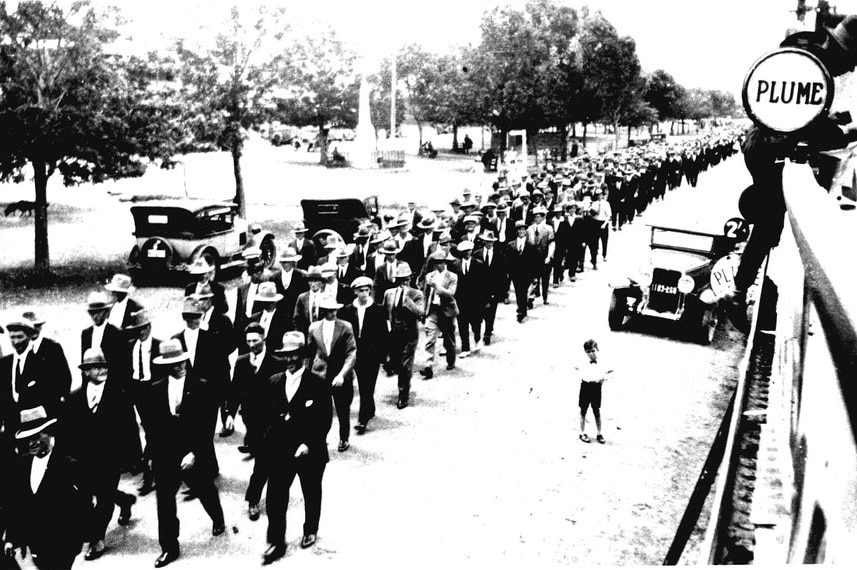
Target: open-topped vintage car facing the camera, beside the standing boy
[[677, 282]]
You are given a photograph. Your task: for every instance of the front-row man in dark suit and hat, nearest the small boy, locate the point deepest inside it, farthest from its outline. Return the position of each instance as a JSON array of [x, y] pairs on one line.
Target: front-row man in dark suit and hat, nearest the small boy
[[298, 416]]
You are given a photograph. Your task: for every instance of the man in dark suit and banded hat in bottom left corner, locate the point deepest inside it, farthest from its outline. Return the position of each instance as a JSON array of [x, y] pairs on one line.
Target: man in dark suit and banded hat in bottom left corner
[[48, 494]]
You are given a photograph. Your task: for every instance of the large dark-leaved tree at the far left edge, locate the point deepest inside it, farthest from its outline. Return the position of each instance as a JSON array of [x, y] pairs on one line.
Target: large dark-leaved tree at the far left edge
[[67, 105]]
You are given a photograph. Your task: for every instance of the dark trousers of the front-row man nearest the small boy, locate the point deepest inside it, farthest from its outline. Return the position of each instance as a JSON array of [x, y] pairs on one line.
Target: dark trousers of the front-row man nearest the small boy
[[310, 471]]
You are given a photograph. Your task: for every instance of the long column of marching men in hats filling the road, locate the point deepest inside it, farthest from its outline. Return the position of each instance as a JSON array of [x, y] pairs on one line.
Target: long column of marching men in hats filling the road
[[302, 333]]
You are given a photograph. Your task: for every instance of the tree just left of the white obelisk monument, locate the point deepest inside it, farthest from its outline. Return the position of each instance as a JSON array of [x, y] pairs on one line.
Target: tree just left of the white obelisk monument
[[321, 86]]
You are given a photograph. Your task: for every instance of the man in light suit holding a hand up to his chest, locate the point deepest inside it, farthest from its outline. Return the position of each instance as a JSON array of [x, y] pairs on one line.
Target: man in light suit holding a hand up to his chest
[[440, 311]]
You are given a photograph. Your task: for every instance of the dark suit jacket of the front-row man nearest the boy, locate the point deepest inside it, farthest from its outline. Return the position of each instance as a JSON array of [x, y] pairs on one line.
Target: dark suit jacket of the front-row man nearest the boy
[[303, 420]]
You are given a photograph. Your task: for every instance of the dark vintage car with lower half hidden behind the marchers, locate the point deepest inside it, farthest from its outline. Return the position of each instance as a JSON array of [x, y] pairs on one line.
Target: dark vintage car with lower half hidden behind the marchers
[[341, 217]]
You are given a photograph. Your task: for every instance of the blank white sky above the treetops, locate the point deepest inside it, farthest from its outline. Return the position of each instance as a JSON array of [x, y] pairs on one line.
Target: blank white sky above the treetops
[[703, 43]]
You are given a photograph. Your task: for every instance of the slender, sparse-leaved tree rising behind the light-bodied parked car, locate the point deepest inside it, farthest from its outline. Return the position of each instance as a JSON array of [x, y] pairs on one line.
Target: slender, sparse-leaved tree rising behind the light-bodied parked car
[[227, 86]]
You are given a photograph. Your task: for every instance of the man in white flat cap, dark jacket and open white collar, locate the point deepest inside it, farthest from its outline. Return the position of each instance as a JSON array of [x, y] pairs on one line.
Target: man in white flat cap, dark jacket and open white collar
[[368, 320]]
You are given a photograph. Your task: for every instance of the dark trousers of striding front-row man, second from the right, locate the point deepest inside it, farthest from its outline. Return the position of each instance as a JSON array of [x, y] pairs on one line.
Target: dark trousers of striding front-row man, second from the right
[[168, 478]]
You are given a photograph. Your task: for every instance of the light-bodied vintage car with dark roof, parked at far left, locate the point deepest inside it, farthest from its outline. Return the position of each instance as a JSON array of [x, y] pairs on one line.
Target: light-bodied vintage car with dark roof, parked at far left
[[173, 234]]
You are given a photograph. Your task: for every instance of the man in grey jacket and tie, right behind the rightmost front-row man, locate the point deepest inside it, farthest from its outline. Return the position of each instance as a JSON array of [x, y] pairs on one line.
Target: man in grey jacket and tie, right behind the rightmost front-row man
[[333, 353]]
